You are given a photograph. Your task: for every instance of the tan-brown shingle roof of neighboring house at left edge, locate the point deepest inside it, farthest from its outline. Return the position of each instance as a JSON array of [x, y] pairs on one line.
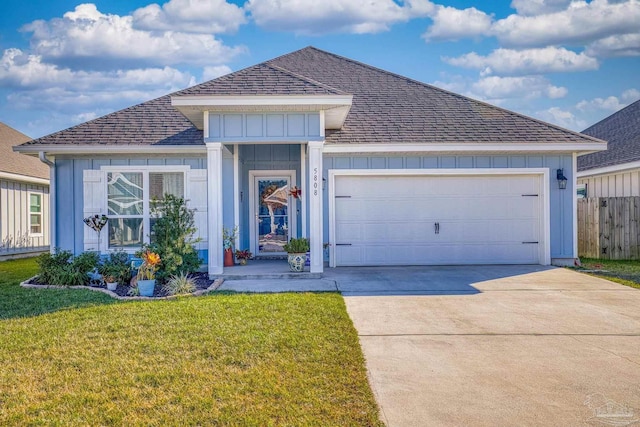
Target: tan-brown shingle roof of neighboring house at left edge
[[17, 163]]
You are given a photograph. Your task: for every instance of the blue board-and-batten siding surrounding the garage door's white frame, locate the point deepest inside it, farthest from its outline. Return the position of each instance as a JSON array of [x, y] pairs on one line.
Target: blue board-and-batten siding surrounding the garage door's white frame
[[561, 201]]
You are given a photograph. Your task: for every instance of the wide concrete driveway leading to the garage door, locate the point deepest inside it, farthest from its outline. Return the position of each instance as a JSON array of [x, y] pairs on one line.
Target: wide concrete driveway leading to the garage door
[[496, 345]]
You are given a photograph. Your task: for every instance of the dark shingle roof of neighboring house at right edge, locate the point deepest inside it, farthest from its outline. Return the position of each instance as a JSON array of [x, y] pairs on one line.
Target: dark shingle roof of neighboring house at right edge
[[622, 131]]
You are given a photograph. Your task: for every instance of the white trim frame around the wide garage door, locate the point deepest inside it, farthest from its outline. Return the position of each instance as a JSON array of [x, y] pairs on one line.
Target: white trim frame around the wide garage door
[[544, 254]]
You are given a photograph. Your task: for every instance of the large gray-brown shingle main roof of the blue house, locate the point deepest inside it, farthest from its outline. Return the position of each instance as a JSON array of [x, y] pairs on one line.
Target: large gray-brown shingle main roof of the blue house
[[387, 108]]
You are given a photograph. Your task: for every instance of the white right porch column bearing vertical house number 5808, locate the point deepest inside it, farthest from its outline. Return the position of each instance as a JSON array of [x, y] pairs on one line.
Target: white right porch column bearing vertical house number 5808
[[315, 205]]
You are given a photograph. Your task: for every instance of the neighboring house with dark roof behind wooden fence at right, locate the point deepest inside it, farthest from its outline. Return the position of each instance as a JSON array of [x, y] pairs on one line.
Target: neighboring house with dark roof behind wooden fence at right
[[615, 172]]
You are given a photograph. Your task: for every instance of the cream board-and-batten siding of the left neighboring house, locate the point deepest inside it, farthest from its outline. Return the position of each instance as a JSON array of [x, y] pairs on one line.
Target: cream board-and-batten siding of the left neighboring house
[[14, 220]]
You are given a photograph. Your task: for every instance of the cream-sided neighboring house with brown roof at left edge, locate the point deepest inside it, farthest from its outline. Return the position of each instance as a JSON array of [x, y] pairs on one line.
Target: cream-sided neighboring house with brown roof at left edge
[[24, 198]]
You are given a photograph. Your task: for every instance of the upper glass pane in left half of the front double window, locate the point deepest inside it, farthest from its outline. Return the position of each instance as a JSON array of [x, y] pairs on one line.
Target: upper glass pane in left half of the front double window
[[124, 193]]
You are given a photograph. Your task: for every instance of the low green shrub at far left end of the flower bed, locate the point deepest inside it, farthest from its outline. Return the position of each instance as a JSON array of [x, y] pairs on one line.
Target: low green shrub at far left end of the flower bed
[[62, 269]]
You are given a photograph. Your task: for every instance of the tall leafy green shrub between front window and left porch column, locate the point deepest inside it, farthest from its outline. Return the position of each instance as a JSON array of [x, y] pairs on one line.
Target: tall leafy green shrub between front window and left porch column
[[172, 237]]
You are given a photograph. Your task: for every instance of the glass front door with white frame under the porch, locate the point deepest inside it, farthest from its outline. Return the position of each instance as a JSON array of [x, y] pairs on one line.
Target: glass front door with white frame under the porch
[[272, 219]]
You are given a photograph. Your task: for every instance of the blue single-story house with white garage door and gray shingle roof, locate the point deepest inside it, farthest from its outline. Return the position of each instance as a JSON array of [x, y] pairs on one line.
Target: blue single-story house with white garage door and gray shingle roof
[[392, 171]]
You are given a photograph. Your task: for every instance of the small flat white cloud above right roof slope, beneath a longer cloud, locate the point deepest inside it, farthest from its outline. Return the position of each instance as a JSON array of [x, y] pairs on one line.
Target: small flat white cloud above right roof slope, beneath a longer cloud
[[528, 87]]
